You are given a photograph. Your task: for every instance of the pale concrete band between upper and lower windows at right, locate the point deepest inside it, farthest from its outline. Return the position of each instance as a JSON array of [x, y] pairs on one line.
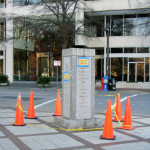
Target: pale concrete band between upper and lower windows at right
[[115, 41]]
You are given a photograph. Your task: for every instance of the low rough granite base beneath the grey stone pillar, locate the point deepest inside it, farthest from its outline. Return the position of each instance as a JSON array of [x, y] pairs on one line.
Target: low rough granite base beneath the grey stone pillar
[[78, 123]]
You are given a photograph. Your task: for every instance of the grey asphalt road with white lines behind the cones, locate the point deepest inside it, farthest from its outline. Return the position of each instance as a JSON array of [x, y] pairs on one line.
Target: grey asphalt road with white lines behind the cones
[[44, 99]]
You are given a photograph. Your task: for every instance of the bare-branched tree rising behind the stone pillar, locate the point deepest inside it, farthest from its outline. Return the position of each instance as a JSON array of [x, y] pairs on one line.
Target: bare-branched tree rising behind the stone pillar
[[58, 26]]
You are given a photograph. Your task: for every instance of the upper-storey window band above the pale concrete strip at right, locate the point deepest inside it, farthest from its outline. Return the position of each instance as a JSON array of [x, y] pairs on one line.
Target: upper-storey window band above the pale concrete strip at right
[[119, 25]]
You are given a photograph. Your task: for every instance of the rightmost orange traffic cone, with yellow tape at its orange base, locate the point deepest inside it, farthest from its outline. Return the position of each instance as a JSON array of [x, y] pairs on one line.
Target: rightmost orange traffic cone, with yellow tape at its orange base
[[127, 123]]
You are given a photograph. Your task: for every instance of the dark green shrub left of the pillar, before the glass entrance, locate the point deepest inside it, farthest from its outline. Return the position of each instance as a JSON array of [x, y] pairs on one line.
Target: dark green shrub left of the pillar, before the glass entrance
[[43, 81]]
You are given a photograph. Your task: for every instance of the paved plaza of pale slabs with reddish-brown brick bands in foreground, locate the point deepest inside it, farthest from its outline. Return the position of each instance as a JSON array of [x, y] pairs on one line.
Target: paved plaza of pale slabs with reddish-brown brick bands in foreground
[[37, 134]]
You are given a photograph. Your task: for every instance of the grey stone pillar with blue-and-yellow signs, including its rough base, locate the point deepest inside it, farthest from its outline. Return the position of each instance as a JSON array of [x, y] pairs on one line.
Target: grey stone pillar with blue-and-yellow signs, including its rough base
[[78, 89]]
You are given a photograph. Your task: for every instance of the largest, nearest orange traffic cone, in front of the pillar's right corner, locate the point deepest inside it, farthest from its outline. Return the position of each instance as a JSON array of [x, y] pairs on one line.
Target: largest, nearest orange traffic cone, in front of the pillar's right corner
[[108, 126]]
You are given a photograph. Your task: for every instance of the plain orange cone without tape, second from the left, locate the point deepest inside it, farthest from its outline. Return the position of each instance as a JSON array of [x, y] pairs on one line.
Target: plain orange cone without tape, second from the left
[[31, 112]]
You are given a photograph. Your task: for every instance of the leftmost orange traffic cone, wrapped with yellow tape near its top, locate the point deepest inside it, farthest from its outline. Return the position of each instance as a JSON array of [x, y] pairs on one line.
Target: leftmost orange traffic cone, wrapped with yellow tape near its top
[[19, 120]]
